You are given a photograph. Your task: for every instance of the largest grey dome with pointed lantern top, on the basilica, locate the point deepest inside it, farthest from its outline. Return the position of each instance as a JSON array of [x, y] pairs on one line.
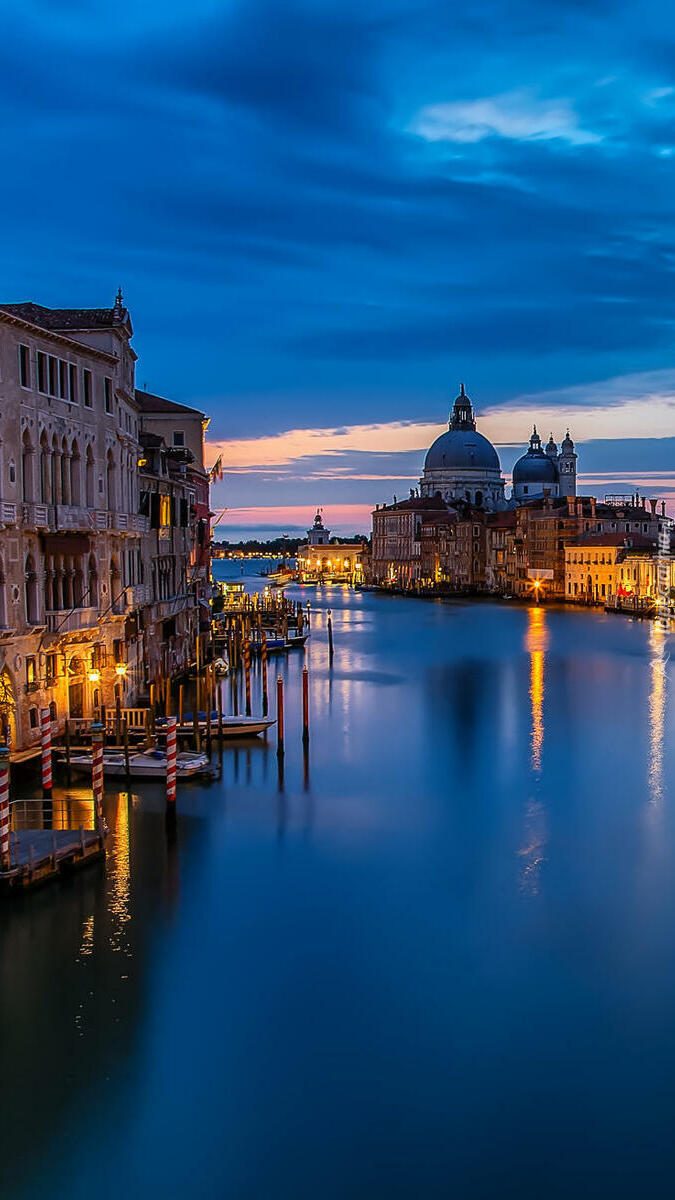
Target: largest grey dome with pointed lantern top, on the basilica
[[462, 465]]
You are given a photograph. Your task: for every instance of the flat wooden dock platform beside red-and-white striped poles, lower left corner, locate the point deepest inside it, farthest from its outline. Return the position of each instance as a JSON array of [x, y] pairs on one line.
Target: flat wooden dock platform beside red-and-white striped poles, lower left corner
[[39, 856]]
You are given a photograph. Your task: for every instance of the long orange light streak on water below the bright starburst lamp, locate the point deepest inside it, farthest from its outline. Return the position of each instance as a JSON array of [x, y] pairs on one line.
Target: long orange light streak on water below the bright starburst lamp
[[536, 836]]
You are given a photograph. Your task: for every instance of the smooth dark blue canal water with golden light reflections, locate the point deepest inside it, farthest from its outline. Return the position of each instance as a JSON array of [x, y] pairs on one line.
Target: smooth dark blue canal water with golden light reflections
[[444, 965]]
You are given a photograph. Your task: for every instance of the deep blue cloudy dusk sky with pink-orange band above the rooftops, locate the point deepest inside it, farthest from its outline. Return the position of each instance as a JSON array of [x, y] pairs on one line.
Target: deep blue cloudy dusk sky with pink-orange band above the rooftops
[[325, 215]]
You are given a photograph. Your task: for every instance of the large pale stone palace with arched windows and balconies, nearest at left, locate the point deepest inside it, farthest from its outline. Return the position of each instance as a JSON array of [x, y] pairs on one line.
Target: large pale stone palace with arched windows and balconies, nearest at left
[[76, 547]]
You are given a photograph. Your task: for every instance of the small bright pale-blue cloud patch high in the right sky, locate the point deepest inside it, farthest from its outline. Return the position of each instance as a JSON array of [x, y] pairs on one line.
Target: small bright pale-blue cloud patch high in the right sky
[[518, 116]]
